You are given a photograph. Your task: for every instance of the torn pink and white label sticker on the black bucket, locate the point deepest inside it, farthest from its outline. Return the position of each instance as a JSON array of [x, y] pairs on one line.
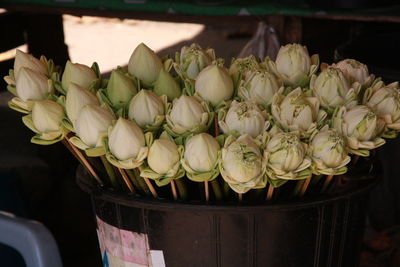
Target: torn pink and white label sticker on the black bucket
[[122, 248]]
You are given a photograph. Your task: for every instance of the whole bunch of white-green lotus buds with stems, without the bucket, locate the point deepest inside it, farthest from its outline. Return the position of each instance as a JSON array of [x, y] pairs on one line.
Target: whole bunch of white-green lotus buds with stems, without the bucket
[[190, 128]]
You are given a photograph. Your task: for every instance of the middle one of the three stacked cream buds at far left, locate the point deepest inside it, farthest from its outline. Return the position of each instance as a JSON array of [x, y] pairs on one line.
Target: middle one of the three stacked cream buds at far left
[[32, 85]]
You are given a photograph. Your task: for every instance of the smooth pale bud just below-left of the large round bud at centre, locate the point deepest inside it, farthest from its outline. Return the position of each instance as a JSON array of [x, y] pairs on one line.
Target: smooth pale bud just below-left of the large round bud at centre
[[187, 112]]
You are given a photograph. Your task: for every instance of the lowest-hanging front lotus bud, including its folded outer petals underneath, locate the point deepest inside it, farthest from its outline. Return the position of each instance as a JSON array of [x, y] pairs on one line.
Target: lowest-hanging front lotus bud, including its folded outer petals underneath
[[242, 165]]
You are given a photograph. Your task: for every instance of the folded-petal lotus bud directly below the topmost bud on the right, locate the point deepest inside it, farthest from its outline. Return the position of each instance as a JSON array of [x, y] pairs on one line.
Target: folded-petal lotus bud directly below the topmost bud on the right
[[297, 113]]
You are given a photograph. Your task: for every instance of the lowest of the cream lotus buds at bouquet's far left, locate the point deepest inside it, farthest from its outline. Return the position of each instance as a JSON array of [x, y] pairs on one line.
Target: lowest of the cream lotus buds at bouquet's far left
[[47, 115]]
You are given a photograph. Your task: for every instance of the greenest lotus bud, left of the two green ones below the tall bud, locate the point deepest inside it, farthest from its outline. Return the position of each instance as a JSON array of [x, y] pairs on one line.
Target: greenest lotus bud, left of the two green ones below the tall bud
[[120, 89]]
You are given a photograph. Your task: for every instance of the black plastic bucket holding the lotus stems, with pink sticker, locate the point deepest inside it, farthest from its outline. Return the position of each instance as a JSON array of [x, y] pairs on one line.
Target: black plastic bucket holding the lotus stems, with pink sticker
[[318, 232]]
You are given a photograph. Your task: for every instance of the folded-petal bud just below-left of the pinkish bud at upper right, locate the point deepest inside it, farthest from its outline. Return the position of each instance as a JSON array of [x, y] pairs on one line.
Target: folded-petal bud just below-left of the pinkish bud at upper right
[[332, 89]]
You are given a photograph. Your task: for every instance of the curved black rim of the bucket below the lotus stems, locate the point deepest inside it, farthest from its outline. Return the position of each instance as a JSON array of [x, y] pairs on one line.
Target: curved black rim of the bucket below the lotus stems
[[131, 200]]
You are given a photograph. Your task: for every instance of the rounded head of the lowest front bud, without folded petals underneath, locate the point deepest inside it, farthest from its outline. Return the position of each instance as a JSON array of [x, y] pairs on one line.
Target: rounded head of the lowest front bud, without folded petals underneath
[[242, 161]]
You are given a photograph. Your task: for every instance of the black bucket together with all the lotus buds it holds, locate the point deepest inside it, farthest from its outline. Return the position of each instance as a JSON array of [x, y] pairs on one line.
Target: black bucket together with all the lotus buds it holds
[[181, 149]]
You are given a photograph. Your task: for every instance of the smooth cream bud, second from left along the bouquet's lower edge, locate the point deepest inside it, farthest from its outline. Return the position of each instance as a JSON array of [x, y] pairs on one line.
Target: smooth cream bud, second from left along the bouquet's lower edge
[[92, 124]]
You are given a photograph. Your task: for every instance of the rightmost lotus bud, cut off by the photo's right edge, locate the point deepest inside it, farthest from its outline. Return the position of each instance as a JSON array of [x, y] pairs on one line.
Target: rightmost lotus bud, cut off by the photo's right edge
[[385, 102]]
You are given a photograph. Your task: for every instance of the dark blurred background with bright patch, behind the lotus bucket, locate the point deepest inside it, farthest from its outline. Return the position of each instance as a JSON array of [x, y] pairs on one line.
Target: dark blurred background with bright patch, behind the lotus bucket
[[38, 182]]
